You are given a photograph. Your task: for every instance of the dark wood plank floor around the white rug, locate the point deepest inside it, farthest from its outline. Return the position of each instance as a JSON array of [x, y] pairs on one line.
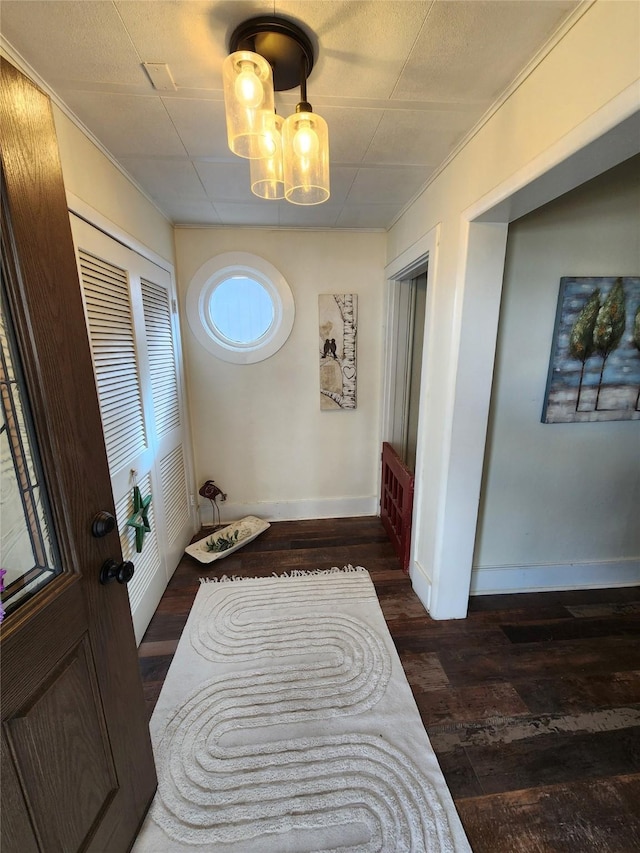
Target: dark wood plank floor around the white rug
[[532, 703]]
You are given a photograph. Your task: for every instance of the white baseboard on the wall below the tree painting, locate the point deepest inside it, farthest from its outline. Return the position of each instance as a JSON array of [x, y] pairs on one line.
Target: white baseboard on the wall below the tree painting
[[548, 578]]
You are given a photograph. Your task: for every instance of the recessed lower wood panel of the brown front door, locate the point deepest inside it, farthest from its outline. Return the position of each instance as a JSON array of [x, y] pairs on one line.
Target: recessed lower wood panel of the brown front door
[[66, 769]]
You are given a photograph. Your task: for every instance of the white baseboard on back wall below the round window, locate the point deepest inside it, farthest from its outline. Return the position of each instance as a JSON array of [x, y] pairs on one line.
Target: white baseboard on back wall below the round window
[[292, 510]]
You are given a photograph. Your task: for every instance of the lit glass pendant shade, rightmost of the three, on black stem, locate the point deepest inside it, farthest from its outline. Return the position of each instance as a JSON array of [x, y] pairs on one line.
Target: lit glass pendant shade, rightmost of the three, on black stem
[[305, 143]]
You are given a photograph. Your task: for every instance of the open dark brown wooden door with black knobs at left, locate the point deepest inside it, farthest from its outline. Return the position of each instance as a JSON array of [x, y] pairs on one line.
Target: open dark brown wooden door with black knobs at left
[[77, 766]]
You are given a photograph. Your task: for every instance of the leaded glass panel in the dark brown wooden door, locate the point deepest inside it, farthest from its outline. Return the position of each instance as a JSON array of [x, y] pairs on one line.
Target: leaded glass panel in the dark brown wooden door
[[28, 552]]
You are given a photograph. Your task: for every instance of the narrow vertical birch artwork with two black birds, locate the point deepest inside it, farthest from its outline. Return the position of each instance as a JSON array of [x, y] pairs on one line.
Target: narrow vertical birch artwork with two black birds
[[338, 329]]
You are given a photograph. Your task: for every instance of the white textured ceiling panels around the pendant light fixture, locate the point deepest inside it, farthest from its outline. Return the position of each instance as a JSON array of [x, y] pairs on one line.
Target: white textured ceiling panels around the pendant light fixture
[[399, 84]]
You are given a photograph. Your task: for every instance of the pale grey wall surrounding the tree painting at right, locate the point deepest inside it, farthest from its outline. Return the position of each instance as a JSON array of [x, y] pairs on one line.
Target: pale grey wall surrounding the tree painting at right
[[559, 496]]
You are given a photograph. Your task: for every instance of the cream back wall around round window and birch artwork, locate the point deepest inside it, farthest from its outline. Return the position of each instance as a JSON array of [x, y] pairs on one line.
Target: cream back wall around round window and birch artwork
[[257, 429]]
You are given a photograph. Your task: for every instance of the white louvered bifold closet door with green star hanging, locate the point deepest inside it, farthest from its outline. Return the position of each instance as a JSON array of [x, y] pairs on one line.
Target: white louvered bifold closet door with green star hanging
[[136, 355]]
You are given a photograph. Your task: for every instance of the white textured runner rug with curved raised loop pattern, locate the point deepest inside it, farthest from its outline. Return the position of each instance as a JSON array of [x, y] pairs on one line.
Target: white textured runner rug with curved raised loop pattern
[[286, 725]]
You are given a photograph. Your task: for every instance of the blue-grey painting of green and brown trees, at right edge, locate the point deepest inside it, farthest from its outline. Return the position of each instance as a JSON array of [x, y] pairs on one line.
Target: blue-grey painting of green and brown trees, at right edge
[[594, 371]]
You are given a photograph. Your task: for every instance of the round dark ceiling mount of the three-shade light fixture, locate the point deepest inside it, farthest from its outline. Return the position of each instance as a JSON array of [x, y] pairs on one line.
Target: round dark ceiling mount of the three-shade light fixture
[[285, 46]]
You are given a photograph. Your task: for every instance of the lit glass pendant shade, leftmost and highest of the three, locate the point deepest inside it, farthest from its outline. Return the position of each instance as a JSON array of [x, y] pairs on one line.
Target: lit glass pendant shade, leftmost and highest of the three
[[249, 101]]
